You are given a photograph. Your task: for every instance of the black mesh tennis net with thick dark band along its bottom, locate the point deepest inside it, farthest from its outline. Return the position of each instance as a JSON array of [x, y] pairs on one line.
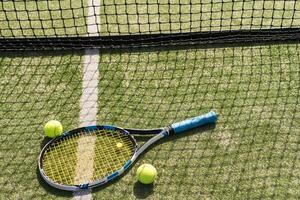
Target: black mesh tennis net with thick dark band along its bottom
[[129, 23]]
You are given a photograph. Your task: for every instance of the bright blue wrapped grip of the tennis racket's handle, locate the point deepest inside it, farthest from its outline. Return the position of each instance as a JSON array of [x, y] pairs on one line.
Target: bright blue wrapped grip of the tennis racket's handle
[[195, 122]]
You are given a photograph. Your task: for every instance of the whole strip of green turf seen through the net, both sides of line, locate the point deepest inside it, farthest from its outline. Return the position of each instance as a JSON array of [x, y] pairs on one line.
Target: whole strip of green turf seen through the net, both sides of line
[[69, 17]]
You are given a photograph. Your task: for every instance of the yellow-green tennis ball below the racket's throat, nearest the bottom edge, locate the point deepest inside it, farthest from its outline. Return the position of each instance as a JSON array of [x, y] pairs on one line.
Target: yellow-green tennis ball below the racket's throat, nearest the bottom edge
[[146, 173]]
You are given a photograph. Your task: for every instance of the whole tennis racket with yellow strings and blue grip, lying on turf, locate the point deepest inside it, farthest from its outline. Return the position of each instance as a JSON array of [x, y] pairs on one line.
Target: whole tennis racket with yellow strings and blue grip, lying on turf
[[91, 156]]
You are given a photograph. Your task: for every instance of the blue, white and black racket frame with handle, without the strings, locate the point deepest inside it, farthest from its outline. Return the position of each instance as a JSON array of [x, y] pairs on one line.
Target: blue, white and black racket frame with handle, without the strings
[[160, 133]]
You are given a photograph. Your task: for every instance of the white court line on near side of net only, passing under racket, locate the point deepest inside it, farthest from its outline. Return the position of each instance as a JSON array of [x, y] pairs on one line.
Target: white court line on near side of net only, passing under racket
[[88, 116]]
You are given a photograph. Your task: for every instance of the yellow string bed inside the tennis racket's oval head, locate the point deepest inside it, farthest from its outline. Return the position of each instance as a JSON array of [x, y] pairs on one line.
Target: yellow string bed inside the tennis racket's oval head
[[61, 160]]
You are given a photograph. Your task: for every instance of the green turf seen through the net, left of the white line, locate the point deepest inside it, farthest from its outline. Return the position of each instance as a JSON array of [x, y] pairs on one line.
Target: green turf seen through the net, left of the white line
[[42, 18]]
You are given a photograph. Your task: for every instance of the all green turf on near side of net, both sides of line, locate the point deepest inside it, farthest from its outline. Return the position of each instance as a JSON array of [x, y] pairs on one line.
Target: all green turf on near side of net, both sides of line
[[251, 153]]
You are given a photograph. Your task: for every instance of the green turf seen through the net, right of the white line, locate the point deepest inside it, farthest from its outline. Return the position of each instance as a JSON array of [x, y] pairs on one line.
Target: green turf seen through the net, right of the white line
[[180, 16]]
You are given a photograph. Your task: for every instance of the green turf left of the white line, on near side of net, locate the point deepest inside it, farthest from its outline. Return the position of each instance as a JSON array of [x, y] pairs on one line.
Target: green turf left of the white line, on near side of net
[[34, 89]]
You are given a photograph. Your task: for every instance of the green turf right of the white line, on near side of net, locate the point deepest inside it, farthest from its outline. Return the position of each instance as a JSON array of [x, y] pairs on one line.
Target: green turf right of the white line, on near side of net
[[253, 150]]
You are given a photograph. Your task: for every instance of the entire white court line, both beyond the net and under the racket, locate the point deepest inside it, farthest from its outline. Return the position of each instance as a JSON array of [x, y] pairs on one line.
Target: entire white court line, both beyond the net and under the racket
[[88, 101]]
